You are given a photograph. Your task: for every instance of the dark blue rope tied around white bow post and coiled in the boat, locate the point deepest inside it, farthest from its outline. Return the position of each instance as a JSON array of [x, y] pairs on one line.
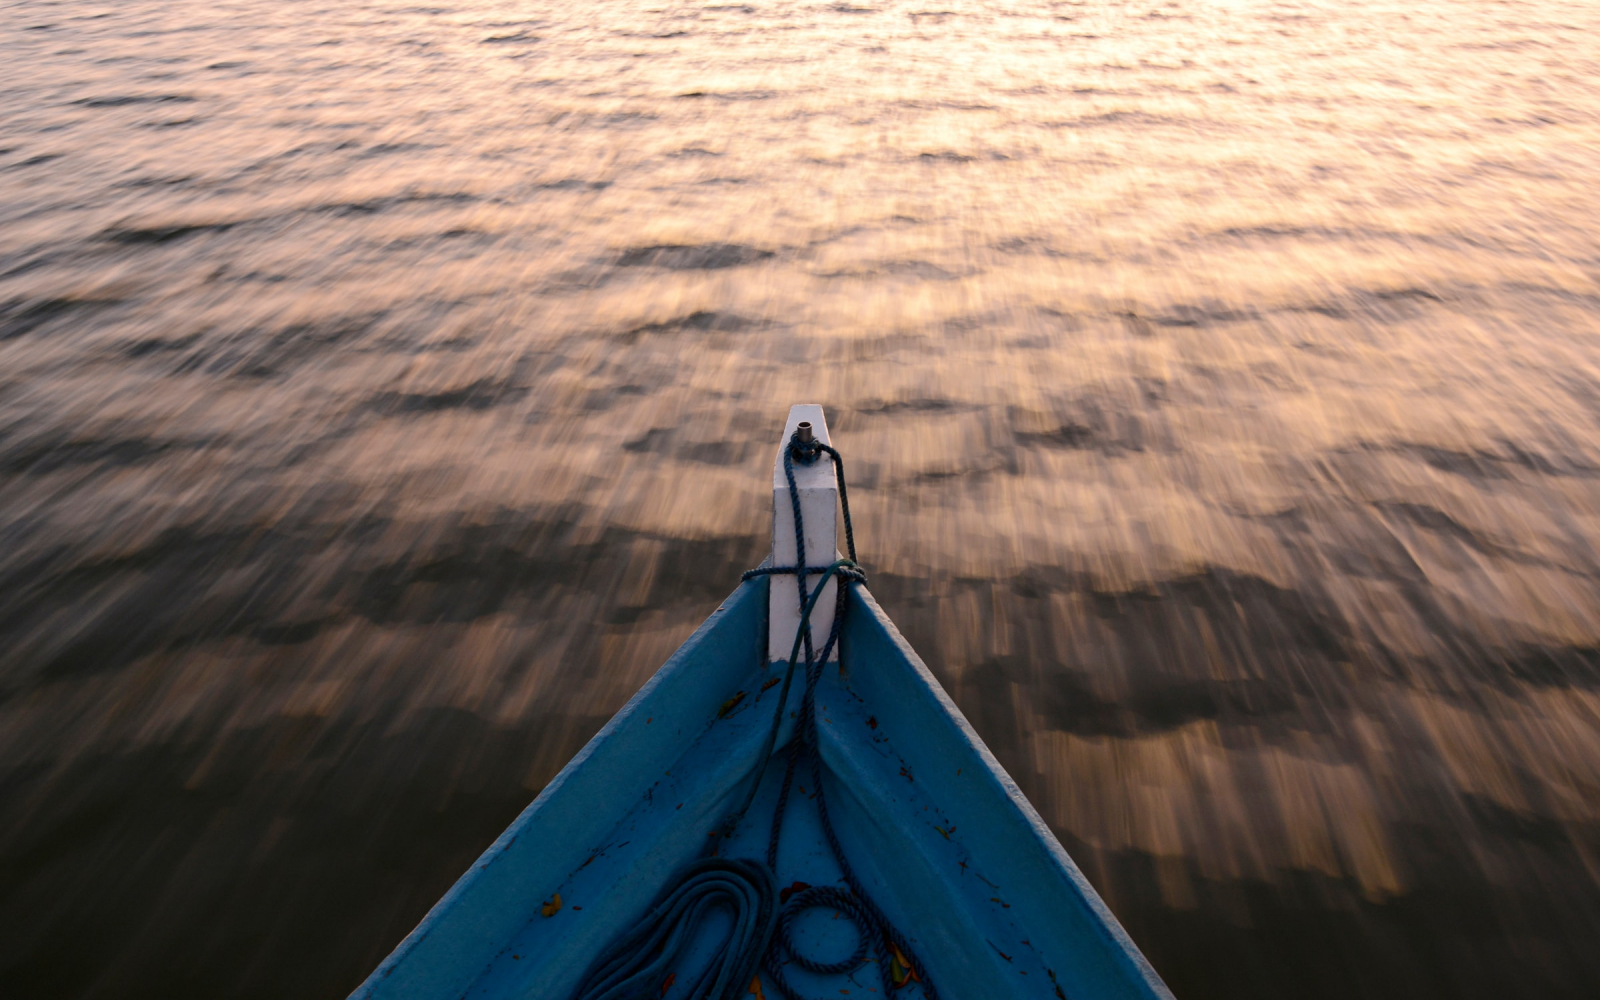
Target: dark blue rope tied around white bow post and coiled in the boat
[[638, 964]]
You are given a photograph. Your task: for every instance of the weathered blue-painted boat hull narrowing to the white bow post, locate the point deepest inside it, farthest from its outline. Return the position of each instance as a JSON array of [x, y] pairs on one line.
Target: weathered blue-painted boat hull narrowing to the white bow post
[[937, 831]]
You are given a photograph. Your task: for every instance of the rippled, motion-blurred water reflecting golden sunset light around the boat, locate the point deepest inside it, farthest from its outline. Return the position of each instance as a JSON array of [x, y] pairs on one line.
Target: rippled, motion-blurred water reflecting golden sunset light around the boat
[[388, 390]]
